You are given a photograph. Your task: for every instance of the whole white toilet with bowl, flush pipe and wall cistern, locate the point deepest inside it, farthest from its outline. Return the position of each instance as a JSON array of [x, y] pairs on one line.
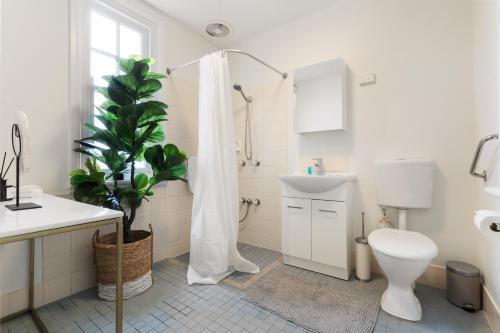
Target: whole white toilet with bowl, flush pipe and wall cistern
[[403, 255]]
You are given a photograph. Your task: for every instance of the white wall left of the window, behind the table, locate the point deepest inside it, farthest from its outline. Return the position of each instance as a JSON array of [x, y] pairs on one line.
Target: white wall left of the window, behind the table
[[34, 78]]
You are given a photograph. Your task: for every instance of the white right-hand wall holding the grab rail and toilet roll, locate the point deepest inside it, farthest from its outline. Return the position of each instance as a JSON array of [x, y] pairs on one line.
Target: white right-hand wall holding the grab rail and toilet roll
[[487, 94]]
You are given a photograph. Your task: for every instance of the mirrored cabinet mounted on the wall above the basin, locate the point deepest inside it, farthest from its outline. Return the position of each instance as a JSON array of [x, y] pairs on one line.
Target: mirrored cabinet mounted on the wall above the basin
[[321, 97]]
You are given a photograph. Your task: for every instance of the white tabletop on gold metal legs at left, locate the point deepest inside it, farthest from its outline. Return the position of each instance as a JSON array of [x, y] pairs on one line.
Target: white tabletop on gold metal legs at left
[[55, 213]]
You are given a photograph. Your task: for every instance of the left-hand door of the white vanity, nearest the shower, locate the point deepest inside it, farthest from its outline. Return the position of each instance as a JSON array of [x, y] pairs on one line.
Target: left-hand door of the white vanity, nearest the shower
[[296, 234]]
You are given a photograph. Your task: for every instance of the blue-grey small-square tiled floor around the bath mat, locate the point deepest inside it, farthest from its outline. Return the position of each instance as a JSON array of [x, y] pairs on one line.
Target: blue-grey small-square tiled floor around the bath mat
[[173, 306]]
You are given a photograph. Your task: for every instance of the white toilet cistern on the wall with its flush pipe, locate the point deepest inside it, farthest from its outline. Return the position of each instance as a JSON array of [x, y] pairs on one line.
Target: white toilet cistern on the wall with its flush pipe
[[404, 184]]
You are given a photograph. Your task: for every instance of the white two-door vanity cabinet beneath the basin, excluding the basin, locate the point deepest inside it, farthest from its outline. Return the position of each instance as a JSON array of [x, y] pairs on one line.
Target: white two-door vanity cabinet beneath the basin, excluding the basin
[[316, 235]]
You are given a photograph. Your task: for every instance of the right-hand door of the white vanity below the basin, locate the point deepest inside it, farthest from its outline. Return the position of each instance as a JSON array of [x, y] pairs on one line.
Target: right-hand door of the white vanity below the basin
[[329, 233]]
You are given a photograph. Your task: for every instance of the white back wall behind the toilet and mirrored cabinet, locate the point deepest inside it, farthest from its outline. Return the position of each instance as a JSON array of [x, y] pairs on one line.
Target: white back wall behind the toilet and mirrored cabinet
[[421, 106]]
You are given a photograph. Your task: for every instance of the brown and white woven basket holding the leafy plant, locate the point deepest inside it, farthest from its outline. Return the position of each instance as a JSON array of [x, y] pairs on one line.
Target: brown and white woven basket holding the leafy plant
[[136, 265]]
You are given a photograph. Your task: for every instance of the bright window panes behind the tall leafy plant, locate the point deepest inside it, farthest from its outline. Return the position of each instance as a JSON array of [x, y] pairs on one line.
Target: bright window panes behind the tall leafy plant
[[112, 35]]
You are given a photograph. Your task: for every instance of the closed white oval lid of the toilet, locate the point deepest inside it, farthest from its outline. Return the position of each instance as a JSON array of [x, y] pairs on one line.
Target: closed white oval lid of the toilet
[[403, 244]]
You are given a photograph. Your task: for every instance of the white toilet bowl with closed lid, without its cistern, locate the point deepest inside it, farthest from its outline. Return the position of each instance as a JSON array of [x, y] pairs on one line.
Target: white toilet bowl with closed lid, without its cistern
[[403, 256]]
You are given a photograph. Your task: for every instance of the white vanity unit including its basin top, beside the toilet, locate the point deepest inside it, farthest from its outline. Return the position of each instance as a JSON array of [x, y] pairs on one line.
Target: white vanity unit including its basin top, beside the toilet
[[316, 222]]
